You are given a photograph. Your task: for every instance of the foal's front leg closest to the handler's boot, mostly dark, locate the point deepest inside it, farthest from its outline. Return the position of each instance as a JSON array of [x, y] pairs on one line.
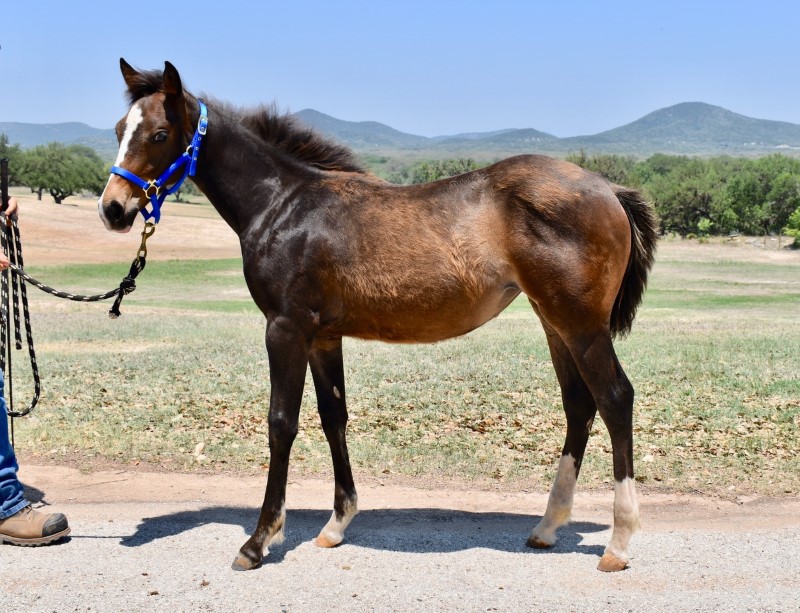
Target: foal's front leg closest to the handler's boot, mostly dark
[[287, 350]]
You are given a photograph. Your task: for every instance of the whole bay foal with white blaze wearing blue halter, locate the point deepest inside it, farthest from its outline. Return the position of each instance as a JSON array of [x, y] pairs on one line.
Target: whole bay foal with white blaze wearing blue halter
[[330, 250]]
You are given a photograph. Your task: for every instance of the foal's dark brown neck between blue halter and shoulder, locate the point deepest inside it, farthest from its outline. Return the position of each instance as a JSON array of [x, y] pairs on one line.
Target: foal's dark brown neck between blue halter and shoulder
[[242, 176]]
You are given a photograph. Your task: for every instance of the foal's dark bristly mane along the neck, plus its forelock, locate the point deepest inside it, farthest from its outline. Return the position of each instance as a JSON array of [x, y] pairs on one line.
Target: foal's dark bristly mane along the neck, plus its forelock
[[284, 132]]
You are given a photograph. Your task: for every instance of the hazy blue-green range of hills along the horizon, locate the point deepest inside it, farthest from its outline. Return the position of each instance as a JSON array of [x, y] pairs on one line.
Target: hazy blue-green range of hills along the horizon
[[687, 128]]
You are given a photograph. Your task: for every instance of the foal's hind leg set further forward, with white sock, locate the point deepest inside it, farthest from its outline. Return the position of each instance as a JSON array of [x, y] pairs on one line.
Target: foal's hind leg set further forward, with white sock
[[580, 410]]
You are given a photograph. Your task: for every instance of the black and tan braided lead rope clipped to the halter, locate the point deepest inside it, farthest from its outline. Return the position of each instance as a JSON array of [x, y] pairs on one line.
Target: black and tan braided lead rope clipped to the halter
[[10, 302]]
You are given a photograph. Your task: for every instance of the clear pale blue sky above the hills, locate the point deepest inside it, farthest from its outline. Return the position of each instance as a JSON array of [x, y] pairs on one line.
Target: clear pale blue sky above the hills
[[424, 67]]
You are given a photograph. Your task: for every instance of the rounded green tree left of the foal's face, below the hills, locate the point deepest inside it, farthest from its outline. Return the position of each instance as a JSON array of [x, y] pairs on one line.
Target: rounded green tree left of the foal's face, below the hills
[[62, 170]]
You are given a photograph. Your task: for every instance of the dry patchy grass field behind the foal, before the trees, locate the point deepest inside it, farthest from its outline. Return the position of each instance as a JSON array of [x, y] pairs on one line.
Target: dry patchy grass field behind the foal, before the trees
[[181, 381]]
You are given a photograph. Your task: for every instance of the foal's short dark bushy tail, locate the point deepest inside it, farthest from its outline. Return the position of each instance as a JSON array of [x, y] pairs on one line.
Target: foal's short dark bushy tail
[[644, 235]]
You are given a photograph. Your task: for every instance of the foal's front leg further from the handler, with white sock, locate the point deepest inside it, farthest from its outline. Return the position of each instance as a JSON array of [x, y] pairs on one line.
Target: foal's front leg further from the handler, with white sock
[[327, 369]]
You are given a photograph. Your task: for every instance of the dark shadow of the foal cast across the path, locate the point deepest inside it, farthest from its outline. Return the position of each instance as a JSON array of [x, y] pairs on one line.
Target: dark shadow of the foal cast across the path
[[414, 530]]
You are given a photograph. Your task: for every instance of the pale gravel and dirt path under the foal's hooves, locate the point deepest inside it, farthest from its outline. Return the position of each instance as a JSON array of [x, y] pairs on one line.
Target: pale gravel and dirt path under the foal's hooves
[[164, 542]]
